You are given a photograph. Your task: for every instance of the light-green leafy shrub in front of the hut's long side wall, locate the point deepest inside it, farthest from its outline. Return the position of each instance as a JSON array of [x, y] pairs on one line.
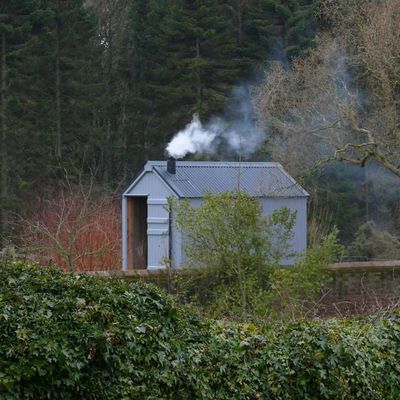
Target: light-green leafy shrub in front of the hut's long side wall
[[231, 240]]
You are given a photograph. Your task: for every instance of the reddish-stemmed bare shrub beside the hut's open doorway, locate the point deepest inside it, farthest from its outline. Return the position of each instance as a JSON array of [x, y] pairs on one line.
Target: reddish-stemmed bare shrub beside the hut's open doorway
[[75, 230]]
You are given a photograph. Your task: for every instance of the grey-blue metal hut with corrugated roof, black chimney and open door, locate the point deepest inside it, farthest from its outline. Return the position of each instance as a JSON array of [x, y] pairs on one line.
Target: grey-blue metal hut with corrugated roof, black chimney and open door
[[148, 235]]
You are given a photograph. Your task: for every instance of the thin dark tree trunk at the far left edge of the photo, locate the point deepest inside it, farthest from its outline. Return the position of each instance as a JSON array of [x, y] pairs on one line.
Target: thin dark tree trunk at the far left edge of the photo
[[3, 151]]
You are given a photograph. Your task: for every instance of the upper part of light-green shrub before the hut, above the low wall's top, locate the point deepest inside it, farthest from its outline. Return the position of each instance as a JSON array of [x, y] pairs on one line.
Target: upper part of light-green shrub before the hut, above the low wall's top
[[229, 230]]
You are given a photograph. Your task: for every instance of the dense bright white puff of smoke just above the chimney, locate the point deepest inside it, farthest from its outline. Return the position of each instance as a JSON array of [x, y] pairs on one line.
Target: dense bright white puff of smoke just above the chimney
[[194, 138]]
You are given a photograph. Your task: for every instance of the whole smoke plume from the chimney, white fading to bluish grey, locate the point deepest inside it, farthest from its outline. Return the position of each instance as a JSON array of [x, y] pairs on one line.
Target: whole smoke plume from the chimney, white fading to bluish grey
[[235, 132]]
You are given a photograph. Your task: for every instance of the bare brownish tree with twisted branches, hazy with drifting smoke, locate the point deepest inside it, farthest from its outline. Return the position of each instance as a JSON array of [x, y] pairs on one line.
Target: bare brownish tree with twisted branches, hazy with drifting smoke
[[342, 101]]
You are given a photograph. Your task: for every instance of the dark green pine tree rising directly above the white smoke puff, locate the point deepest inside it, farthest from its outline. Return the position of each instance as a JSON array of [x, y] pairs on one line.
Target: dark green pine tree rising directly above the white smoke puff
[[203, 46]]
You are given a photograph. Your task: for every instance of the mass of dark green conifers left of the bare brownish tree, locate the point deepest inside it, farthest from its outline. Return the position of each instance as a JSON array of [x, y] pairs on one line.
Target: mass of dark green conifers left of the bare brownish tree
[[99, 87]]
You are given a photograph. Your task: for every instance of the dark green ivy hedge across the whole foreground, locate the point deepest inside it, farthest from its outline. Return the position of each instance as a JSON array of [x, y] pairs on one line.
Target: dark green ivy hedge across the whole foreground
[[65, 336]]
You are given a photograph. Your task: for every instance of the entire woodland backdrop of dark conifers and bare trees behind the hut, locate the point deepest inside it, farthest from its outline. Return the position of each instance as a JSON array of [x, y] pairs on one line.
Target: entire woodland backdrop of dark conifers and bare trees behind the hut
[[92, 89]]
